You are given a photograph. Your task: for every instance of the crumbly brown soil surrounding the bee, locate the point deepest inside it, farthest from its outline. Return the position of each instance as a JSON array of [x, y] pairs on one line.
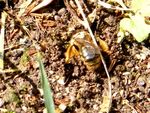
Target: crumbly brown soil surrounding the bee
[[75, 88]]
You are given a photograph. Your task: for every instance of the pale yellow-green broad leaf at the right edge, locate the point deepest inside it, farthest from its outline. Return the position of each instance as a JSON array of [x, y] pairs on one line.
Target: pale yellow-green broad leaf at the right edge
[[136, 26]]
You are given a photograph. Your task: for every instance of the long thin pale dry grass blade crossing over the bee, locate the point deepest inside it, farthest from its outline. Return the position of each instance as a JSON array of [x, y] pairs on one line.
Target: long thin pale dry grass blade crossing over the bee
[[86, 25]]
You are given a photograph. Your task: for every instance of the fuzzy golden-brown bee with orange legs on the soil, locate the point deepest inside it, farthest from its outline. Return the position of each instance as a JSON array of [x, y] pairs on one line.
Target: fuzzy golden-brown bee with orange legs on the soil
[[82, 45]]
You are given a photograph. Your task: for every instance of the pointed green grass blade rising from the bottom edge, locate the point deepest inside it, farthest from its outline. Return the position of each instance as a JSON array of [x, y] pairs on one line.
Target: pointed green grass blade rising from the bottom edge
[[46, 88]]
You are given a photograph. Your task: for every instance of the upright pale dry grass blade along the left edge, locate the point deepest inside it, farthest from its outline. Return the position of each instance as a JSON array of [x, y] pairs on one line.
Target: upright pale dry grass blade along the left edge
[[2, 35]]
